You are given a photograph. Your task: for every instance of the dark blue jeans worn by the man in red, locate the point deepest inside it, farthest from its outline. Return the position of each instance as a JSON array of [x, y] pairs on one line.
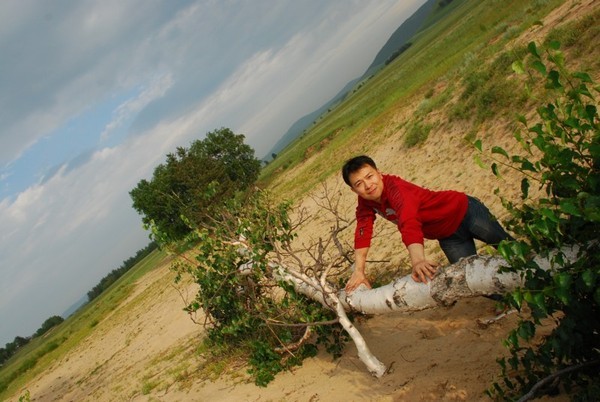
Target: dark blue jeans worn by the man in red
[[479, 224]]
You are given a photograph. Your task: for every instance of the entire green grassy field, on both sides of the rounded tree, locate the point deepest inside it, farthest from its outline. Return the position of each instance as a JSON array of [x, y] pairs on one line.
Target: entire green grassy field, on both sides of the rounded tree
[[457, 70]]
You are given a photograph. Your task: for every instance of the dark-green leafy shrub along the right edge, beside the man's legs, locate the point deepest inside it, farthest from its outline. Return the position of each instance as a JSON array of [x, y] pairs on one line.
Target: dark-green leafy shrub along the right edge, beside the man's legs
[[562, 156]]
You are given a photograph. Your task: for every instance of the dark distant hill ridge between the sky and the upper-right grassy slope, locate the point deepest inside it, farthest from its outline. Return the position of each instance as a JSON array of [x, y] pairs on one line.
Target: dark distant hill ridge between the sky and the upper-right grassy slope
[[397, 40]]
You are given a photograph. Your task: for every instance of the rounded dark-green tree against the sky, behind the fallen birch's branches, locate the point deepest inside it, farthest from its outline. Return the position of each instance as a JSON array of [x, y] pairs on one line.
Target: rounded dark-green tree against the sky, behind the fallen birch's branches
[[194, 182]]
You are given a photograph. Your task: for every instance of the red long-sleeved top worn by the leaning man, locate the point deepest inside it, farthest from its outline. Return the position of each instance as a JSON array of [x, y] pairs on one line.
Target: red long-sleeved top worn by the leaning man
[[418, 212]]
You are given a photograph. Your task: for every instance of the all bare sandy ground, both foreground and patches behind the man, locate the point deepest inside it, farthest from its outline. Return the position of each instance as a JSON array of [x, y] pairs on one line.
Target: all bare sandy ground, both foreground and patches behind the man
[[146, 350]]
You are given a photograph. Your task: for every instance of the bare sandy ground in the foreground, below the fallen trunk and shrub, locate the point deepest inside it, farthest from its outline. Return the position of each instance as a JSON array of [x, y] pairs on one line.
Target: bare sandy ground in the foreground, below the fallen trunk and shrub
[[140, 352]]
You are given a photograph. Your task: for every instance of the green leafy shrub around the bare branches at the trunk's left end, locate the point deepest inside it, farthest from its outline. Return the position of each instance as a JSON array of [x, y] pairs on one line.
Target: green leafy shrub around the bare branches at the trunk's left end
[[247, 309]]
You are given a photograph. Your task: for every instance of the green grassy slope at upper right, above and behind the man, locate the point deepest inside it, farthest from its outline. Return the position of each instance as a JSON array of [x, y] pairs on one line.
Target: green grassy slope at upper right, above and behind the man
[[468, 52]]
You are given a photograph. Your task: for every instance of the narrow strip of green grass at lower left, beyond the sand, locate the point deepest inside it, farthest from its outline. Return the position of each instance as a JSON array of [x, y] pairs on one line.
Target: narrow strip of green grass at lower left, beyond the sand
[[42, 352]]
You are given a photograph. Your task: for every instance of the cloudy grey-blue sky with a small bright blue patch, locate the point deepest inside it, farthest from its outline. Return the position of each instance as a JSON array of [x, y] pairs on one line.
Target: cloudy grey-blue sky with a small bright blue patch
[[95, 93]]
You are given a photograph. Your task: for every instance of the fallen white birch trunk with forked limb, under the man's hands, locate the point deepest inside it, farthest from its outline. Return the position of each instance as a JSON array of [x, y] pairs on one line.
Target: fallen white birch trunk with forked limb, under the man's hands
[[471, 276]]
